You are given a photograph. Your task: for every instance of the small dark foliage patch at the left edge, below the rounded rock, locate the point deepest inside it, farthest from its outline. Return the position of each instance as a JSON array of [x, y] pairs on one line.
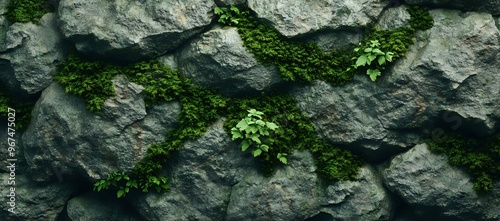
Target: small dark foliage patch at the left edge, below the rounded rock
[[23, 110]]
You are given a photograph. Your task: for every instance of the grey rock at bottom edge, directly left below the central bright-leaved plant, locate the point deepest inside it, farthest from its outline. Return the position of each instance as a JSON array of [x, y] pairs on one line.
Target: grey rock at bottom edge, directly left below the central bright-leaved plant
[[201, 177]]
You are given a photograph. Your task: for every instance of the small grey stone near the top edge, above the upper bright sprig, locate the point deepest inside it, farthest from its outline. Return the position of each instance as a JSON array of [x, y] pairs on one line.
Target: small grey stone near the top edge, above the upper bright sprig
[[393, 18]]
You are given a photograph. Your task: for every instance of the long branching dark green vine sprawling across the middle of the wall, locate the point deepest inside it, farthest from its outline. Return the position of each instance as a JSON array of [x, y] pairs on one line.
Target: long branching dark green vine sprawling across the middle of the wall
[[200, 108]]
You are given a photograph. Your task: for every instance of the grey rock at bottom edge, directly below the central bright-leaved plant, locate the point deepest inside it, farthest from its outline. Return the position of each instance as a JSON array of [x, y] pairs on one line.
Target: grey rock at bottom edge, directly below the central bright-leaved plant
[[290, 194]]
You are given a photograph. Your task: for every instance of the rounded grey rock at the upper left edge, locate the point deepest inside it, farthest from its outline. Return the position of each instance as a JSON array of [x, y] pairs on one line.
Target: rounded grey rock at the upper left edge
[[28, 61]]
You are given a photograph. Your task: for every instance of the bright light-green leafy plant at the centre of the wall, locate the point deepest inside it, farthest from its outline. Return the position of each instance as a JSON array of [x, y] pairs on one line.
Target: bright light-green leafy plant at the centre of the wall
[[256, 132]]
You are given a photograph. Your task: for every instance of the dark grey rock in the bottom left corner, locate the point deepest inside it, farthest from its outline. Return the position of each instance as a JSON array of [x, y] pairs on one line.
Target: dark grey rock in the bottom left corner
[[34, 202]]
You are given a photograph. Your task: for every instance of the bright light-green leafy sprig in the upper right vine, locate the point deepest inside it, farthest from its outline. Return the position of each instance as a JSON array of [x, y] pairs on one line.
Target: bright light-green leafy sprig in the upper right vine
[[370, 54]]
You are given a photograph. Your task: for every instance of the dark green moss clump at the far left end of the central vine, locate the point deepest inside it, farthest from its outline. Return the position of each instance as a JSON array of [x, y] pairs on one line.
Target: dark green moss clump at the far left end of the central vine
[[88, 79]]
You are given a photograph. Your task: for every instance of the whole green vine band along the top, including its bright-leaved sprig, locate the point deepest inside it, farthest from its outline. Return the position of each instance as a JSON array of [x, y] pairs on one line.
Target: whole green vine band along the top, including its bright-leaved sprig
[[305, 62]]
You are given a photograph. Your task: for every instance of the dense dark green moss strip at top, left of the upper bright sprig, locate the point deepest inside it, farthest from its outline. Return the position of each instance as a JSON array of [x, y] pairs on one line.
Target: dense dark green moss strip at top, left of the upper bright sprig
[[296, 61]]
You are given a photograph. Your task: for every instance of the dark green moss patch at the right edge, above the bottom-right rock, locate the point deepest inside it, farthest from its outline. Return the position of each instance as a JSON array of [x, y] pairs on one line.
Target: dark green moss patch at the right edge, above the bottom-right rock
[[480, 158]]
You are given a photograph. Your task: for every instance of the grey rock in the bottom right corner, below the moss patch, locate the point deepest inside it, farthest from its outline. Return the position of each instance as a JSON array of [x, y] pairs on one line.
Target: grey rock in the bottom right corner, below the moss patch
[[436, 190]]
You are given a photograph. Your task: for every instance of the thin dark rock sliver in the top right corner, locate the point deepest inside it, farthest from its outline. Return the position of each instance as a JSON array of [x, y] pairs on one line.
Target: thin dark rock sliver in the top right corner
[[491, 6]]
